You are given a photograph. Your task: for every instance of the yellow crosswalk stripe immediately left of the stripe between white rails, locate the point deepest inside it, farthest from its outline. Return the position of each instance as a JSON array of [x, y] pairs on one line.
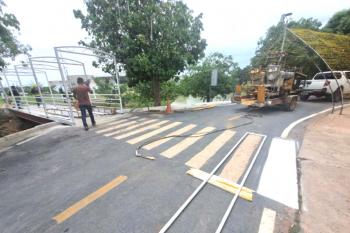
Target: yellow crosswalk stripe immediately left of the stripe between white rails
[[203, 156]]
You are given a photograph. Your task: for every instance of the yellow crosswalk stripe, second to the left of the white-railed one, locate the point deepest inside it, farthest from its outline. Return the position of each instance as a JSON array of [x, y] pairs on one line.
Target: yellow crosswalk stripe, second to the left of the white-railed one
[[184, 144]]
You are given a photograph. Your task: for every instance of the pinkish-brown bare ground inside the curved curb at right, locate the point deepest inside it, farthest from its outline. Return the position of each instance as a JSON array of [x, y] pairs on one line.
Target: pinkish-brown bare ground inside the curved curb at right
[[325, 174]]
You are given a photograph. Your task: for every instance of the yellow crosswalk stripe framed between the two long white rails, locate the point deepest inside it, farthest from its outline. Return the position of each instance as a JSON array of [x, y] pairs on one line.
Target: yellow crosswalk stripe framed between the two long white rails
[[239, 161]]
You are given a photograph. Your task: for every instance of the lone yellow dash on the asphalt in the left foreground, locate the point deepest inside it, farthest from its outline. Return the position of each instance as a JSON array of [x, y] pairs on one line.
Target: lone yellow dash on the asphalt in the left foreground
[[61, 217]]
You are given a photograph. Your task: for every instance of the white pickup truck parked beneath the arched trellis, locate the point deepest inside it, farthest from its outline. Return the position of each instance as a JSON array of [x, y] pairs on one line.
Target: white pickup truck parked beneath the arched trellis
[[324, 84]]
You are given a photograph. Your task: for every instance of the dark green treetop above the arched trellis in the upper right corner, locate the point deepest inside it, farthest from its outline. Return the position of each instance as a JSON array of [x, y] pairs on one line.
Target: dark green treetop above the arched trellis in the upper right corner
[[339, 23]]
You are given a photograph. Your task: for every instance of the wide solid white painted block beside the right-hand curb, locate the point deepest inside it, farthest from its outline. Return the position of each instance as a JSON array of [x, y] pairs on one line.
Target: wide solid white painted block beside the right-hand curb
[[278, 180]]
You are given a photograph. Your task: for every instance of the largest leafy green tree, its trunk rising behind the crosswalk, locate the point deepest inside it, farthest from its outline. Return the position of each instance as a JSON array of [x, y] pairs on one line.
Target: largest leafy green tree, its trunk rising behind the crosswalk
[[155, 40]]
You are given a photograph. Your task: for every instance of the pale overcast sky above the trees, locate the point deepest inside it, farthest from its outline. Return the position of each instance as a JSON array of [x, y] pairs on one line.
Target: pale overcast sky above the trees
[[230, 27]]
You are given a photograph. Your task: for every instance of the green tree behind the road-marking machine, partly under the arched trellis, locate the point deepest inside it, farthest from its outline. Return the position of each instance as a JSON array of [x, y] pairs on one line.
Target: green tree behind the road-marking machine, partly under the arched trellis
[[298, 56]]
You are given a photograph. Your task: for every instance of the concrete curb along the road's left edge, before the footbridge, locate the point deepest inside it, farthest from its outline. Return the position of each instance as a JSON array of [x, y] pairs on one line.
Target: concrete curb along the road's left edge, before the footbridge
[[14, 138]]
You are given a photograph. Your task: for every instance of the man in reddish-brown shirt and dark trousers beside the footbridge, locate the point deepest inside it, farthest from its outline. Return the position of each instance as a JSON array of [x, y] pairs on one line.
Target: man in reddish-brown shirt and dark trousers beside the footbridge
[[81, 93]]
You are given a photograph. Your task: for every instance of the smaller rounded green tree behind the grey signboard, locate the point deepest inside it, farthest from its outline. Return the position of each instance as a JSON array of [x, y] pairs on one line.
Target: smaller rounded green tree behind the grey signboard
[[197, 81]]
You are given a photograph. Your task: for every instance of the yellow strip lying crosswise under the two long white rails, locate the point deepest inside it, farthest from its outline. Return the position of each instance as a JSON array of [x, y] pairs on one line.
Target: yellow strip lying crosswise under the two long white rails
[[227, 185]]
